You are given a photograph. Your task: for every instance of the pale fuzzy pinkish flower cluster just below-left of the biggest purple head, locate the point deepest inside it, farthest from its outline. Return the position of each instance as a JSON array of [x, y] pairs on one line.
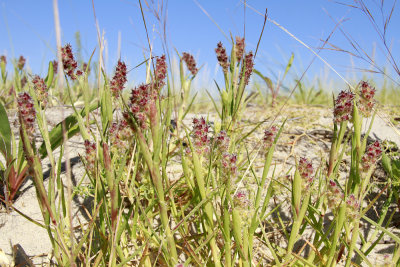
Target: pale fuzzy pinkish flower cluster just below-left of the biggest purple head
[[120, 136]]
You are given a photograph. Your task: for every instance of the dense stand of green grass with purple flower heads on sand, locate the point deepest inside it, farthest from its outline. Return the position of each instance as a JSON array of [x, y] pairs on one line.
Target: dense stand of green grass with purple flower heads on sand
[[217, 209]]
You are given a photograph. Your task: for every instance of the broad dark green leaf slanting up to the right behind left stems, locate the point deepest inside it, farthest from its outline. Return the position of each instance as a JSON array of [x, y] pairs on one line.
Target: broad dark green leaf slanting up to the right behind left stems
[[71, 126]]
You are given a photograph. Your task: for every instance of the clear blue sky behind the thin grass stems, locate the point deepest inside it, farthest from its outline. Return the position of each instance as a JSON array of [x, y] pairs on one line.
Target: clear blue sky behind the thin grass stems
[[27, 28]]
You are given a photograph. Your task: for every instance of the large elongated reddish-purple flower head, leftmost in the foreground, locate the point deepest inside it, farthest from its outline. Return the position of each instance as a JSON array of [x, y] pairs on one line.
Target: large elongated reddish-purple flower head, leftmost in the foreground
[[27, 113]]
